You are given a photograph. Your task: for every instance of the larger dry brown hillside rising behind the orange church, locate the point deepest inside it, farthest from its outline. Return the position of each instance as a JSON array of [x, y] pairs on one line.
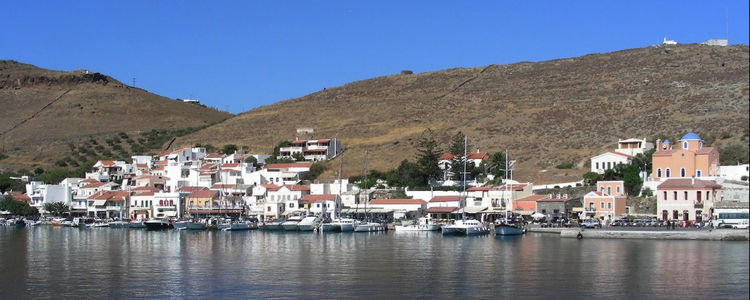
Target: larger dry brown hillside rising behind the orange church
[[544, 113]]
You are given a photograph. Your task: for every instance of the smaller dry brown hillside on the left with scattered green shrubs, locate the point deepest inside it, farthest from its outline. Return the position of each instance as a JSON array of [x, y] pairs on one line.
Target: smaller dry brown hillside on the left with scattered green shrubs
[[43, 110]]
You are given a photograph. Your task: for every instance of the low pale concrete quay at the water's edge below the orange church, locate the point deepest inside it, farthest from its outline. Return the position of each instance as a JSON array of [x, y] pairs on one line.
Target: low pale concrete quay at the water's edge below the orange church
[[712, 235]]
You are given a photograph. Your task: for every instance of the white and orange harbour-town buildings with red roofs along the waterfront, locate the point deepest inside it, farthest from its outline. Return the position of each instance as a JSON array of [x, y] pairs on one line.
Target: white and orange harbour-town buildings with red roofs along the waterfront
[[686, 179]]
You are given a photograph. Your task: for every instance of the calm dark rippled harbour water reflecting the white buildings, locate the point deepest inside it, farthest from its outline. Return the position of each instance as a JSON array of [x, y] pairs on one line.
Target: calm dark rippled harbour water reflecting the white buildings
[[56, 262]]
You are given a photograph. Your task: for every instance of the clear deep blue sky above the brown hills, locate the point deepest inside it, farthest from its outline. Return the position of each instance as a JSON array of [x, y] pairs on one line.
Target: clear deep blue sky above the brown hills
[[237, 55]]
